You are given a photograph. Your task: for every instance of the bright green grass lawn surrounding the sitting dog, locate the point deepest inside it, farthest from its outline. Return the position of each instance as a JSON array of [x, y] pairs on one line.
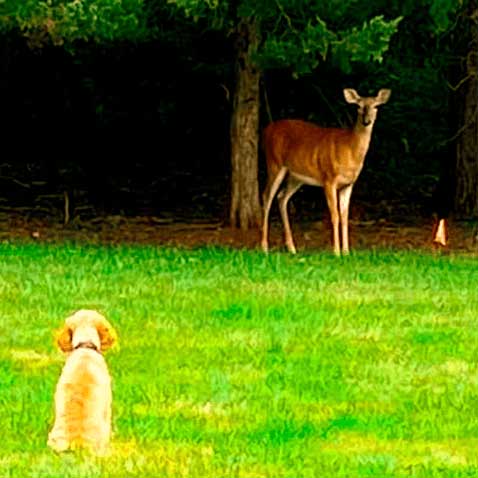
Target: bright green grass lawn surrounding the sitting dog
[[236, 364]]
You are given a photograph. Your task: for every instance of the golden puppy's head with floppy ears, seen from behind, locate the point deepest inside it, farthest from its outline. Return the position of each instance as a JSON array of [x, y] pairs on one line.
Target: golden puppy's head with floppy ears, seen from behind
[[86, 326]]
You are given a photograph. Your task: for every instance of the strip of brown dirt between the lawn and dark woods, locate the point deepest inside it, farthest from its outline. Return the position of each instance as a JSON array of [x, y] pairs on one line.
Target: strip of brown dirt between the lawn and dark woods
[[309, 236]]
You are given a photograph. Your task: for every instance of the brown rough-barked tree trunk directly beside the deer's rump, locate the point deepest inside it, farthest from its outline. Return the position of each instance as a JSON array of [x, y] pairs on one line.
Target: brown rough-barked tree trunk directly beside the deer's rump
[[245, 207]]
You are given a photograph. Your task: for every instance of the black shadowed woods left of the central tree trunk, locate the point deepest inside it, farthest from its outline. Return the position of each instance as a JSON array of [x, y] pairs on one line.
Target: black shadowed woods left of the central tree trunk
[[133, 129]]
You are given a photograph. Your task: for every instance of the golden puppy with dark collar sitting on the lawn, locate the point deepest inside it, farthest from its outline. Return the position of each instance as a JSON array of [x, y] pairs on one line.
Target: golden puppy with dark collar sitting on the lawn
[[83, 393]]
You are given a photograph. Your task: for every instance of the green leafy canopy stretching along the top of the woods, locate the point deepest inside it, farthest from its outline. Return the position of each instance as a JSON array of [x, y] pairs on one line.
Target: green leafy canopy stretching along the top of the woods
[[296, 34]]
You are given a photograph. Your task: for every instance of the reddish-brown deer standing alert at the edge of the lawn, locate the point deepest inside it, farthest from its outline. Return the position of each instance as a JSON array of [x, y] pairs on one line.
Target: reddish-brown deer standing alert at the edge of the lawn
[[331, 158]]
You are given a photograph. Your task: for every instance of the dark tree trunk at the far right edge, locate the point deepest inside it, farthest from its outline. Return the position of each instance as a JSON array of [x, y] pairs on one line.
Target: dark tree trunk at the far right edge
[[466, 197]]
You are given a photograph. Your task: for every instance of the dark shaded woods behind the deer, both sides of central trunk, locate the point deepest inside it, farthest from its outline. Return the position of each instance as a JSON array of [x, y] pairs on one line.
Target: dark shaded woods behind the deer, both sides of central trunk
[[141, 129]]
